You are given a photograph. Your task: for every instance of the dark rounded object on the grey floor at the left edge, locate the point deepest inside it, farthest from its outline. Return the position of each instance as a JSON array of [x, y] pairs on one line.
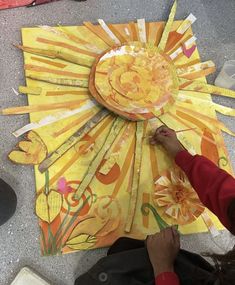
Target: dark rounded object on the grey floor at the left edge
[[8, 201]]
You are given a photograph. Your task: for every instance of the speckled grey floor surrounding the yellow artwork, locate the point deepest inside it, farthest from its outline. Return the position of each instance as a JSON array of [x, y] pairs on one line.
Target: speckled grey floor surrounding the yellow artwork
[[215, 30]]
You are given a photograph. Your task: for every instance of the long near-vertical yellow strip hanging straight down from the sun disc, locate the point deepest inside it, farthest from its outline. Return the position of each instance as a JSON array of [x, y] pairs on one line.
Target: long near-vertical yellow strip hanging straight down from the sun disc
[[136, 176]]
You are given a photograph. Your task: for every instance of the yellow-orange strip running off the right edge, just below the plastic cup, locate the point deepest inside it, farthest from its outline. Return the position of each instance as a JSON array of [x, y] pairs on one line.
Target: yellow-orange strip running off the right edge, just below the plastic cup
[[205, 88]]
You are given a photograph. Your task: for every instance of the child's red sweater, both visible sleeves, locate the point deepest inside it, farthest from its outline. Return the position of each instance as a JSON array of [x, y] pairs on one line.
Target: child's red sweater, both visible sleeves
[[215, 188]]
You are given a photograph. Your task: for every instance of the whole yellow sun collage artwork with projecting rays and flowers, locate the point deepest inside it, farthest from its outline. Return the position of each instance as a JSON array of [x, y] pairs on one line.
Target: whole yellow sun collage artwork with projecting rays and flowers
[[96, 94]]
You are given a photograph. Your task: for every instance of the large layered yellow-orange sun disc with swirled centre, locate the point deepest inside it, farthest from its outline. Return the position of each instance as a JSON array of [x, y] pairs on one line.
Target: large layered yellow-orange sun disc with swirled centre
[[136, 81]]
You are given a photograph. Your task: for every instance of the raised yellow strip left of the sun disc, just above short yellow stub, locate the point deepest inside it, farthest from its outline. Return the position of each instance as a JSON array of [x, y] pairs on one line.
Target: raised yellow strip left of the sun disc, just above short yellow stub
[[59, 81]]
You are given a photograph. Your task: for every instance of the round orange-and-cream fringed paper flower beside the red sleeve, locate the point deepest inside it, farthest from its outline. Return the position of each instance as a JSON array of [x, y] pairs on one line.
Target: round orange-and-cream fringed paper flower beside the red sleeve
[[176, 197]]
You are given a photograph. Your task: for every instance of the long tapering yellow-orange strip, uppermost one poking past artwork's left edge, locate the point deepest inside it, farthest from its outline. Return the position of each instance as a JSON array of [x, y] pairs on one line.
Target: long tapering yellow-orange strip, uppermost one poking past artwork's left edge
[[57, 54]]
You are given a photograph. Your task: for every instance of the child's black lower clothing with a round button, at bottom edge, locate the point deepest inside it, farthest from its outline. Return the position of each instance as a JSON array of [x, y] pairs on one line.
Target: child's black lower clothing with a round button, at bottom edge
[[127, 263]]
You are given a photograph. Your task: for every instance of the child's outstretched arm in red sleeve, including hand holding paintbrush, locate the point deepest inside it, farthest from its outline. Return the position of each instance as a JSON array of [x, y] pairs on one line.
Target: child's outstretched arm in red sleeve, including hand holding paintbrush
[[215, 187]]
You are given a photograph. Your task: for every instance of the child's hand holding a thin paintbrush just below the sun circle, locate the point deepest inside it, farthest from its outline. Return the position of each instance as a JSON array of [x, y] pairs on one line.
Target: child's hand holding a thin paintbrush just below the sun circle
[[168, 139]]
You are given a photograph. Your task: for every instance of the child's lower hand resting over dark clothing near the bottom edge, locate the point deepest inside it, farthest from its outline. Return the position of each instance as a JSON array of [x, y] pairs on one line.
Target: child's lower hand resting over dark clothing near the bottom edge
[[163, 248]]
